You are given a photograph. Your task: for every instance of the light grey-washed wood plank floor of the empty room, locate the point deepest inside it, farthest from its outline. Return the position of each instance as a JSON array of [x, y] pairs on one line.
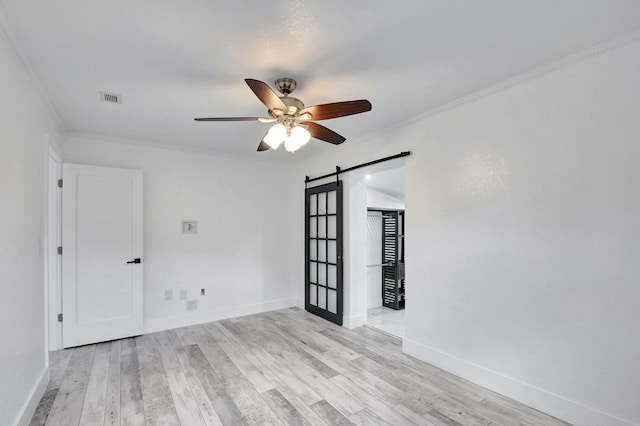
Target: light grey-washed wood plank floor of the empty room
[[281, 367]]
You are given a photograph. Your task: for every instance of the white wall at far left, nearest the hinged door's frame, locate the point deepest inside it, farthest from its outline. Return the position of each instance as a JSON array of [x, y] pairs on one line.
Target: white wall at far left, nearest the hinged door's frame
[[25, 123]]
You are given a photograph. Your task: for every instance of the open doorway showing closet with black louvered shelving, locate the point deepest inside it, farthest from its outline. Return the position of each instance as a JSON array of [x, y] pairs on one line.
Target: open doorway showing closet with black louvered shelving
[[385, 251]]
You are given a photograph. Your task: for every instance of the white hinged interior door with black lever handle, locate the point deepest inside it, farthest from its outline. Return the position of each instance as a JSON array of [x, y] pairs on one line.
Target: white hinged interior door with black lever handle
[[101, 236]]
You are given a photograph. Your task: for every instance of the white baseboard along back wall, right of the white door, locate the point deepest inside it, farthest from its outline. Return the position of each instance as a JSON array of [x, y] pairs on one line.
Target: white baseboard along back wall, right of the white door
[[160, 324]]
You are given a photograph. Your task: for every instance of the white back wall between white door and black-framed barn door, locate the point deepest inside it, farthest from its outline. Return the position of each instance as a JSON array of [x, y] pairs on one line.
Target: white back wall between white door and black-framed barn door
[[240, 254]]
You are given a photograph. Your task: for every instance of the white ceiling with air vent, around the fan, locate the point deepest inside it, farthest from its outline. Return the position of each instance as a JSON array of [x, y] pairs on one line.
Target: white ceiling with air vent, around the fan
[[173, 61]]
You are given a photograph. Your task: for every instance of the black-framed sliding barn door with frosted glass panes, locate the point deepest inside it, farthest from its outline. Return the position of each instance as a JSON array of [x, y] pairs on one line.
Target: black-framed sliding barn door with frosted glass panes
[[323, 251]]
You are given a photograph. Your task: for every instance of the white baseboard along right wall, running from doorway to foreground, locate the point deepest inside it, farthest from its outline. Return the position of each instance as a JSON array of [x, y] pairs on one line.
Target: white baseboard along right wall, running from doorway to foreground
[[540, 399]]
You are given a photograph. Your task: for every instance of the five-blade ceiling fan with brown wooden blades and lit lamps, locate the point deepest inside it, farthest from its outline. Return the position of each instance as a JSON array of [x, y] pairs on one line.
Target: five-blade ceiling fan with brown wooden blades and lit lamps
[[294, 124]]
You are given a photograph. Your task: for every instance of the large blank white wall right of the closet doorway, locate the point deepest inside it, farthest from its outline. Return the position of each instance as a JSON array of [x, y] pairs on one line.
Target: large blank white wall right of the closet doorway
[[523, 237]]
